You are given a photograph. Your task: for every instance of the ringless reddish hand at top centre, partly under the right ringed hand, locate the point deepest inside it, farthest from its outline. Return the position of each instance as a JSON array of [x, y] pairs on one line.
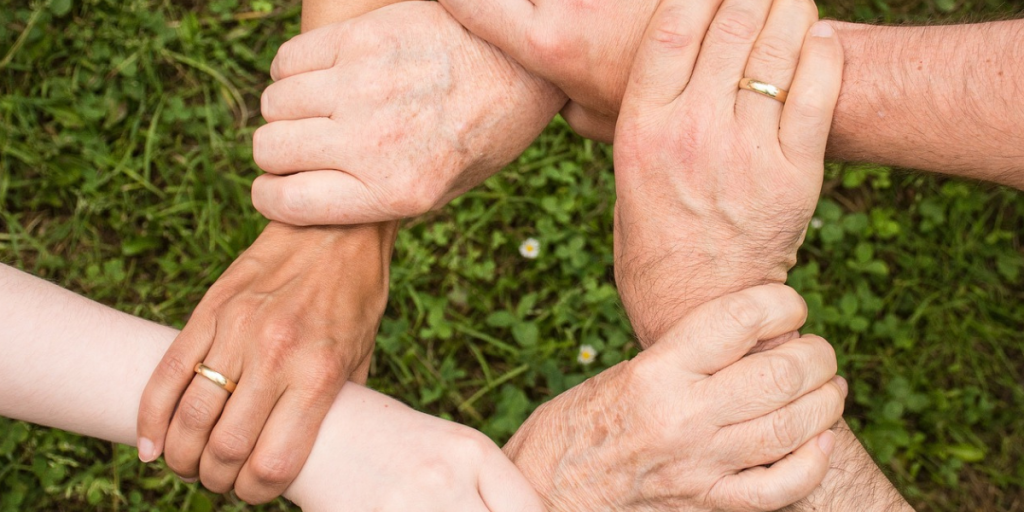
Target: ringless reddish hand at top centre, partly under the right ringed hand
[[585, 49]]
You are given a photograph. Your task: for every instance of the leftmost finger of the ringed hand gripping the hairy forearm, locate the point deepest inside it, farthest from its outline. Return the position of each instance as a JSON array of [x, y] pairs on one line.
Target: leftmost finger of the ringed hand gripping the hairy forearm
[[668, 53]]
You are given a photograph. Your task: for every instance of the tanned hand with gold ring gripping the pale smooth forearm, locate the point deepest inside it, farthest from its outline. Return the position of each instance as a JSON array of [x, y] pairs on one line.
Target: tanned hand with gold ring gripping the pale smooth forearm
[[290, 322]]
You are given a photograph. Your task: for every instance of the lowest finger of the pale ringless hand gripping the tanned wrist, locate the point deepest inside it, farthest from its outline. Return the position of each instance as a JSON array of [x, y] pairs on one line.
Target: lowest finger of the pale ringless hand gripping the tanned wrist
[[320, 198]]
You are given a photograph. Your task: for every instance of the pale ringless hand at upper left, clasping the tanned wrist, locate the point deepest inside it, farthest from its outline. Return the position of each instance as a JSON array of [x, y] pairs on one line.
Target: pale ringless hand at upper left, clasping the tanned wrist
[[391, 115]]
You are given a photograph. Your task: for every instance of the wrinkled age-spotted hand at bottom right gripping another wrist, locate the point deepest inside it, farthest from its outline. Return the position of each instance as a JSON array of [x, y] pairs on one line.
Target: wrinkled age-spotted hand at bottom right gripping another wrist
[[689, 424]]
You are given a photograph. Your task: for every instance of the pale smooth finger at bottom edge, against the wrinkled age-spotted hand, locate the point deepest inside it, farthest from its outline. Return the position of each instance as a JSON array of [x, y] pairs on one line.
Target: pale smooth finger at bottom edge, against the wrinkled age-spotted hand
[[504, 489]]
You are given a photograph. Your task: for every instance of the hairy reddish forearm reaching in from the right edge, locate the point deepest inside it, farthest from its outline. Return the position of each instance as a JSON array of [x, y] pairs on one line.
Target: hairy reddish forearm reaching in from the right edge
[[943, 99]]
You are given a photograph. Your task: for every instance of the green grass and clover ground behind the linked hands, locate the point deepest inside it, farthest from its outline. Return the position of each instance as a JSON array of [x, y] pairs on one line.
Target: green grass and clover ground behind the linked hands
[[125, 160]]
